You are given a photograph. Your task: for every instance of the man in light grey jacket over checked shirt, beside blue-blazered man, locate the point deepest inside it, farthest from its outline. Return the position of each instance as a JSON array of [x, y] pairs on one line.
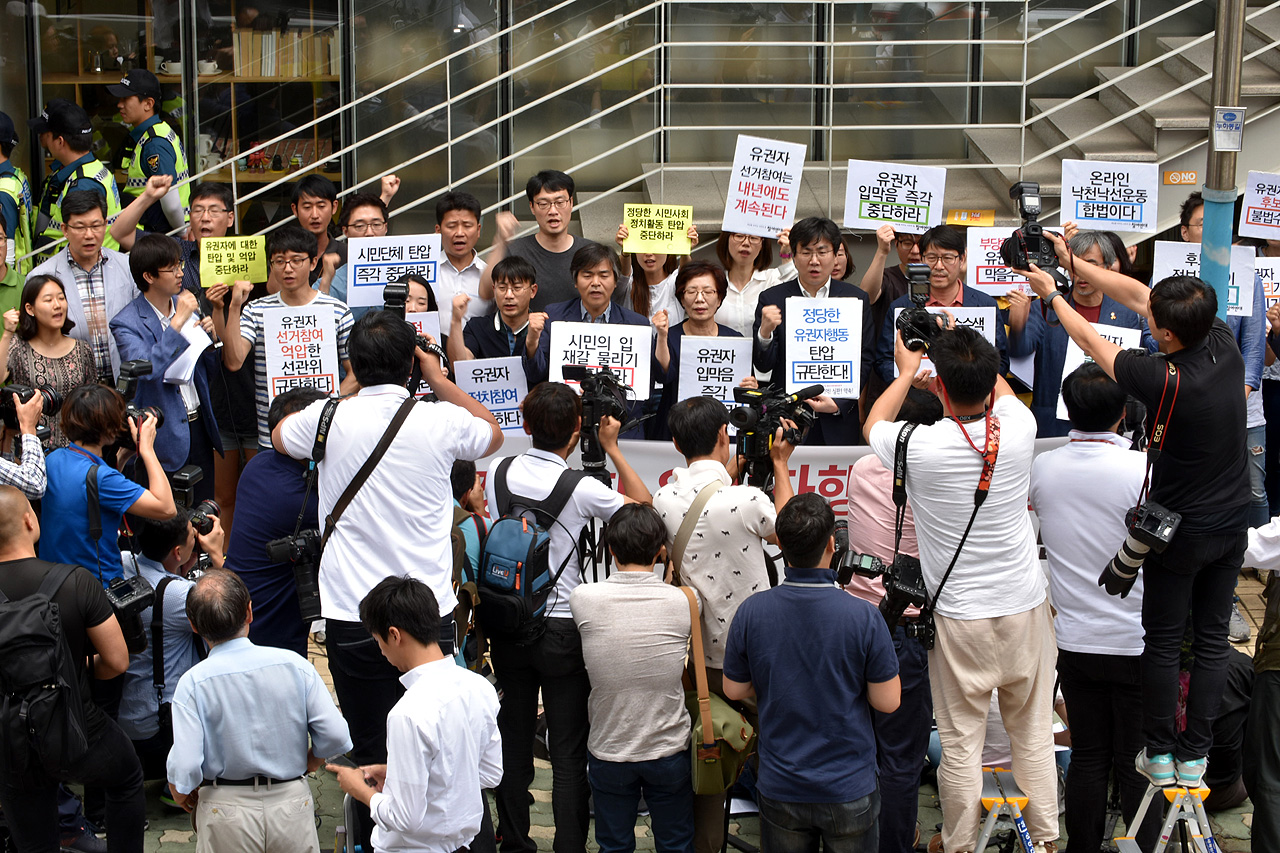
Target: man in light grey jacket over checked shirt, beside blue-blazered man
[[103, 282]]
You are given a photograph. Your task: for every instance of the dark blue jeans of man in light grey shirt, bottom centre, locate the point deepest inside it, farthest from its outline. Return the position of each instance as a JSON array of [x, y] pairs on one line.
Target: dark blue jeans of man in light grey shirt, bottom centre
[[668, 788]]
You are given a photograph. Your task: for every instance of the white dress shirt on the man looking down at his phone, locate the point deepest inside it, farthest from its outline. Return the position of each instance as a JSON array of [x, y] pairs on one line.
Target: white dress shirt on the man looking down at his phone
[[444, 749]]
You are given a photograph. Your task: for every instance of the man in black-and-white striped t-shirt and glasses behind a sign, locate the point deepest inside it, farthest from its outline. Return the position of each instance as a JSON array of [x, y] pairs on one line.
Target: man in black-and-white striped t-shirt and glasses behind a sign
[[292, 254]]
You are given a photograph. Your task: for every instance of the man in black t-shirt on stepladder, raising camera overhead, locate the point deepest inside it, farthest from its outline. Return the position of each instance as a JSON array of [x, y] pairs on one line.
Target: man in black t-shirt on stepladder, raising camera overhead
[[1200, 473]]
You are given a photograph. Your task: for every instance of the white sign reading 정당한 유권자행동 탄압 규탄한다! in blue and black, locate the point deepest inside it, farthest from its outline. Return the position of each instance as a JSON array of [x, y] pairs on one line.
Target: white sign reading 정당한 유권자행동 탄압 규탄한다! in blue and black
[[825, 345]]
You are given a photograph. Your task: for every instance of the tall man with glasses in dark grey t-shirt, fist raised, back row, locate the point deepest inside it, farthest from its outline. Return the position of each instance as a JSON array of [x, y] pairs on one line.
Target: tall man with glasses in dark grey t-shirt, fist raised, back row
[[551, 249]]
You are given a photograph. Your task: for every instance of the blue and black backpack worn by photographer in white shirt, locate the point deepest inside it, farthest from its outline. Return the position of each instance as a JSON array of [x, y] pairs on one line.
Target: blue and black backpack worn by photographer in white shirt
[[515, 578]]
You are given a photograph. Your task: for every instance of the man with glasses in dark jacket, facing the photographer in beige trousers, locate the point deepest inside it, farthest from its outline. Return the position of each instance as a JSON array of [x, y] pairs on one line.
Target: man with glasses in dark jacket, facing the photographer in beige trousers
[[943, 250]]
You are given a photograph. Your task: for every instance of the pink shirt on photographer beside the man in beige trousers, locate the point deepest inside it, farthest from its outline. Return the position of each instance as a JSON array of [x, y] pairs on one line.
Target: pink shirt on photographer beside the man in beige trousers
[[871, 524]]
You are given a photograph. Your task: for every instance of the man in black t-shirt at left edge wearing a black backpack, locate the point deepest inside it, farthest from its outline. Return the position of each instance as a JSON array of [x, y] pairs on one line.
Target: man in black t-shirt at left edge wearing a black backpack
[[30, 802]]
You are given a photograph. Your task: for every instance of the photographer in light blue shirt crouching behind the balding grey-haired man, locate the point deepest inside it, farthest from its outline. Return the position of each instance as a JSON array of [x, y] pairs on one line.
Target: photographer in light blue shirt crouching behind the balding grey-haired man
[[167, 551]]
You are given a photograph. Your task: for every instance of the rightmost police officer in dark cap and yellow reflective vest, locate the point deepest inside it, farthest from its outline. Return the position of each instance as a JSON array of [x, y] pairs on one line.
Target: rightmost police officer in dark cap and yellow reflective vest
[[153, 149]]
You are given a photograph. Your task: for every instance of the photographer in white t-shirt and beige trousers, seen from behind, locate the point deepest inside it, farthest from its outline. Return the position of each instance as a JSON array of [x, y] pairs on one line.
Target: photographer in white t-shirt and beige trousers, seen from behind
[[985, 583]]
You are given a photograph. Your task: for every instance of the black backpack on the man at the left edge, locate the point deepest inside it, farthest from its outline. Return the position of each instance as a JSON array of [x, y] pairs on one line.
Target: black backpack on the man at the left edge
[[42, 709]]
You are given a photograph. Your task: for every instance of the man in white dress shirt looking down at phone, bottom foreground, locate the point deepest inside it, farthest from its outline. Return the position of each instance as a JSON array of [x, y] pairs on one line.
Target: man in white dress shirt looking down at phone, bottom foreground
[[444, 746]]
